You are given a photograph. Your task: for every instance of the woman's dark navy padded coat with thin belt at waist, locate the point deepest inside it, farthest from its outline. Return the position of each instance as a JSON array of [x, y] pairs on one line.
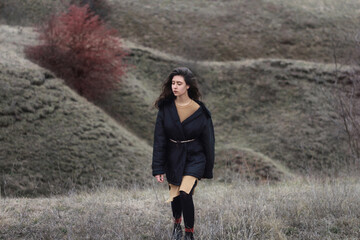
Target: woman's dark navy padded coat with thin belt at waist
[[194, 158]]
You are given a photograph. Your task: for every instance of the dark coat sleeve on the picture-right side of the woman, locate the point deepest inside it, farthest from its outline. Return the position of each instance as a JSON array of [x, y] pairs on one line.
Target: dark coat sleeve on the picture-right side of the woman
[[208, 140]]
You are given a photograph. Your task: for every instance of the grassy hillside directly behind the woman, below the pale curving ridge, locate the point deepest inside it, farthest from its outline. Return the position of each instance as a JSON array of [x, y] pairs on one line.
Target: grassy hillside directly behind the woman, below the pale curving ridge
[[276, 107]]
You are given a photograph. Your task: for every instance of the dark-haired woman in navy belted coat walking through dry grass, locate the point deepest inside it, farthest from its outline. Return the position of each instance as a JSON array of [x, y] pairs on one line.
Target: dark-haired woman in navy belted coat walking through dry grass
[[183, 145]]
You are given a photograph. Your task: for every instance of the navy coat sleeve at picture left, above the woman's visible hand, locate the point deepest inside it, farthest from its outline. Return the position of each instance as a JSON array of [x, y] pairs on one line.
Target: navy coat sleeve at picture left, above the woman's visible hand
[[159, 147]]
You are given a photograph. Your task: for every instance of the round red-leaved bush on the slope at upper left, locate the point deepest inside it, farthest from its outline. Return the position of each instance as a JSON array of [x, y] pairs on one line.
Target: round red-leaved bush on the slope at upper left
[[78, 47]]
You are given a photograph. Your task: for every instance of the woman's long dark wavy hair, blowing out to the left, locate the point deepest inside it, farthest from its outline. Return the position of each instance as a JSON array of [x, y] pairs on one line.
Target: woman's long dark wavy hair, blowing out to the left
[[190, 80]]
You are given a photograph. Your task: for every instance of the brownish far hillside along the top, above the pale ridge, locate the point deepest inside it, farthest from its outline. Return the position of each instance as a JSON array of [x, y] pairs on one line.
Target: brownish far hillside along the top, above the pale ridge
[[223, 30]]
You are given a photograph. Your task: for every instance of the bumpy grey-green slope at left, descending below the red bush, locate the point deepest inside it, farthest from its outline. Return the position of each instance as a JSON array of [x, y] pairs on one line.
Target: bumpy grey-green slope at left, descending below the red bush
[[52, 140]]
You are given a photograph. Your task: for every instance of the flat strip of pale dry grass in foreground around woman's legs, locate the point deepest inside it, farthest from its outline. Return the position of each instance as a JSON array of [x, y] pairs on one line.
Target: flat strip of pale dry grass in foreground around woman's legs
[[297, 209]]
